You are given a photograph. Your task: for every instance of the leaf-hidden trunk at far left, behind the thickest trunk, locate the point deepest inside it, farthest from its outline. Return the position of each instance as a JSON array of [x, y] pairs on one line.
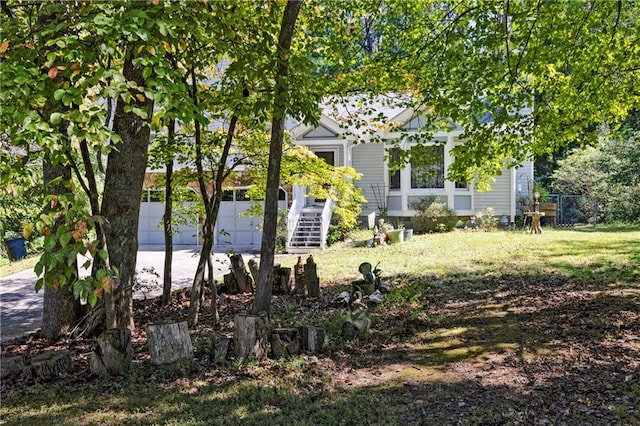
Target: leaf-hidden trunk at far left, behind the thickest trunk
[[60, 309]]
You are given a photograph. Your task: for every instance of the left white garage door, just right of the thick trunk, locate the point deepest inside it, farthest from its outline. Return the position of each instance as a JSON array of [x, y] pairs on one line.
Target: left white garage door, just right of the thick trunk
[[150, 231]]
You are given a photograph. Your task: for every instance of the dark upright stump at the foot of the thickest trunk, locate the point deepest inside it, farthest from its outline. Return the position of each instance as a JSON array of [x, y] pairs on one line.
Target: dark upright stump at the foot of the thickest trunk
[[113, 354]]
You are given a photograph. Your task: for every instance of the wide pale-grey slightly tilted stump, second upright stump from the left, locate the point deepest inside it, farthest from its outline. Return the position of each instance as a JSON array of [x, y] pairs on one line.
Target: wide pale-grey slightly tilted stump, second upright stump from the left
[[169, 343]]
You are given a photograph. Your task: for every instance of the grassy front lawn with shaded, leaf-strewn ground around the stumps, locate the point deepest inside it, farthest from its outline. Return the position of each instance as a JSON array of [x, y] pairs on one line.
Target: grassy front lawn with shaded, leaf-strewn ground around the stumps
[[478, 328]]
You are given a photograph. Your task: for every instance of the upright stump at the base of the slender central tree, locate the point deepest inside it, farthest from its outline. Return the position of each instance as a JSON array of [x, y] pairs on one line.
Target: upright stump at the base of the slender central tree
[[251, 337]]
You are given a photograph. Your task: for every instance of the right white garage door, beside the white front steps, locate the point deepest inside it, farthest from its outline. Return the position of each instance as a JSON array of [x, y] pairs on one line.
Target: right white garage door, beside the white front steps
[[233, 227]]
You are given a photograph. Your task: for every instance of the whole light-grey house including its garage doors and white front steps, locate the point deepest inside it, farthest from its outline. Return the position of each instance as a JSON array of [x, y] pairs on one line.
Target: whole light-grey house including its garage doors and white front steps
[[363, 146]]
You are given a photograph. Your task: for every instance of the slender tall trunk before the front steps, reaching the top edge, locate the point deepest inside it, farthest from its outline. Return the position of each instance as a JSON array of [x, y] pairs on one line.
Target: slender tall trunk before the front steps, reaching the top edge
[[280, 100]]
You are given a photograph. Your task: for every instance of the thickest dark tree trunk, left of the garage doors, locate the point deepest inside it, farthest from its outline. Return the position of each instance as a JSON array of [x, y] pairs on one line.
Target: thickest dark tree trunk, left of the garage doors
[[121, 200]]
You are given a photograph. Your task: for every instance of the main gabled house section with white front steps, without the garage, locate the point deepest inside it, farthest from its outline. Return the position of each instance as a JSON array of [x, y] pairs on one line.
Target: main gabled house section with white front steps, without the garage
[[364, 147]]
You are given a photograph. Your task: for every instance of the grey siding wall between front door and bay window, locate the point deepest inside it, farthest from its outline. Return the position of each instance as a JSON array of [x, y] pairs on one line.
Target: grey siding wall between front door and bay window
[[368, 159]]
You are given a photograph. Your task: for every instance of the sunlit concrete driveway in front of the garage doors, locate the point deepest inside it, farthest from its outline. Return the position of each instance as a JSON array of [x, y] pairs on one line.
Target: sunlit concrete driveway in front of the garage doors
[[21, 306]]
